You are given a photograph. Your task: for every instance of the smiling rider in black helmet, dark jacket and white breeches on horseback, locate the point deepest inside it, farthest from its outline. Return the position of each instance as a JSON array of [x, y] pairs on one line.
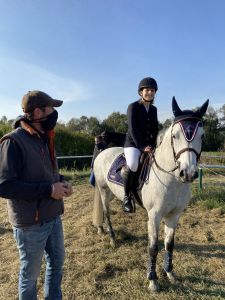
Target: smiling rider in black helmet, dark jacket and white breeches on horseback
[[141, 135]]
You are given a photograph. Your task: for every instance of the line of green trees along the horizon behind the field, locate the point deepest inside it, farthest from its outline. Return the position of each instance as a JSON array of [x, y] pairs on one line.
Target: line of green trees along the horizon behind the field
[[76, 137]]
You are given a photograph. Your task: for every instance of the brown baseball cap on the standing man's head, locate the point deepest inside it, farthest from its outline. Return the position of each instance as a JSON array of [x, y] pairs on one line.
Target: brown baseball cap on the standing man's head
[[34, 99]]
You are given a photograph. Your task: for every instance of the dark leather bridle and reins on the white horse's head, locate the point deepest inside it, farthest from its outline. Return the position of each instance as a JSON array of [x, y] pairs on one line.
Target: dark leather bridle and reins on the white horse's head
[[177, 155]]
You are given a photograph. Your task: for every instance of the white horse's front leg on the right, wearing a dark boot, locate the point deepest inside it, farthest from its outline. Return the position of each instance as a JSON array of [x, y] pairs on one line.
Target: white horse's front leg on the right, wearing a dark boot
[[170, 227]]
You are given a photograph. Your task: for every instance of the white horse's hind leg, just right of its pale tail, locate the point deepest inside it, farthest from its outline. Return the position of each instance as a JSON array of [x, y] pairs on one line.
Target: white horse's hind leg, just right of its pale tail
[[107, 196]]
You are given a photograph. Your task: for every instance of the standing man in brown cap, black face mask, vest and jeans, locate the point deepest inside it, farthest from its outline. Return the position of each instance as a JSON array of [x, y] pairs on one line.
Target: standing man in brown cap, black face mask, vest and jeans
[[29, 178]]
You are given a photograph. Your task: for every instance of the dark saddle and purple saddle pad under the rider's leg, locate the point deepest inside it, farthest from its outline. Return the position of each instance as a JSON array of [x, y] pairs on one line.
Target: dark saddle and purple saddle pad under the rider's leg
[[115, 173]]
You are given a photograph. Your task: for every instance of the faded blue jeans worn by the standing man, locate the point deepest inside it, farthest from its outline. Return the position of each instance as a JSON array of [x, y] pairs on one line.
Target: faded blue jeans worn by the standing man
[[32, 243]]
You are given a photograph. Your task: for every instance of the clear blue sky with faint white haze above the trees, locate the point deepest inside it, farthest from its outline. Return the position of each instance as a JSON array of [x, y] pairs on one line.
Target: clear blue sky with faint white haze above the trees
[[93, 53]]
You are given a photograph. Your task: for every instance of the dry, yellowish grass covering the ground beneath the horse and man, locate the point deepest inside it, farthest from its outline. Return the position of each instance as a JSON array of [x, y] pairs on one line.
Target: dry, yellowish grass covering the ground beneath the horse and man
[[93, 270]]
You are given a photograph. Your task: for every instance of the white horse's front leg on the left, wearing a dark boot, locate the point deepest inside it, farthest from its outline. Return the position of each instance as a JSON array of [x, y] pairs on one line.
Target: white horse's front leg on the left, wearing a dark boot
[[153, 229]]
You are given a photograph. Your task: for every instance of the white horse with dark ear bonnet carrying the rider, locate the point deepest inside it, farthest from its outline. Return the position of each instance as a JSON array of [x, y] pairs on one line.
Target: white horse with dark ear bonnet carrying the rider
[[167, 191]]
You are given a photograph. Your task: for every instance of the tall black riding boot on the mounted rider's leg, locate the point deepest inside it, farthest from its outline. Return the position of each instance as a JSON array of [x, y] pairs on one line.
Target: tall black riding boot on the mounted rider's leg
[[127, 201]]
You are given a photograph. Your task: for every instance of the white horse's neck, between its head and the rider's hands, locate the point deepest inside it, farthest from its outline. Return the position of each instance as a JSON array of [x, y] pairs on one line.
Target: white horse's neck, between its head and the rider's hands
[[164, 152]]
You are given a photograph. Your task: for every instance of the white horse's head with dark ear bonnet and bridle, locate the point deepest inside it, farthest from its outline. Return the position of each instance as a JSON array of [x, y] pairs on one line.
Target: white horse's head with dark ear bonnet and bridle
[[186, 139]]
